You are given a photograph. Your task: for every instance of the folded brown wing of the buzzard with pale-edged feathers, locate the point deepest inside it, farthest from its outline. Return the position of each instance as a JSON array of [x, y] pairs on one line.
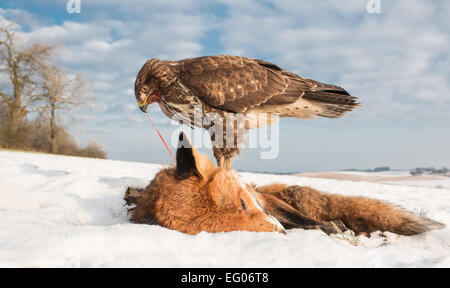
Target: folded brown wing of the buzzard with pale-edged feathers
[[236, 83]]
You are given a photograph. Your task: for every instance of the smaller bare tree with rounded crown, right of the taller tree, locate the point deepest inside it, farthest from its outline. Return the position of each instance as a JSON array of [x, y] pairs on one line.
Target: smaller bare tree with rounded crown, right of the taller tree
[[61, 92]]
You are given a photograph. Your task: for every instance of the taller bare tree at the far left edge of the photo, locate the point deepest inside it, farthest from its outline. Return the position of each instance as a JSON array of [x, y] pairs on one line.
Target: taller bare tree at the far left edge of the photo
[[22, 66]]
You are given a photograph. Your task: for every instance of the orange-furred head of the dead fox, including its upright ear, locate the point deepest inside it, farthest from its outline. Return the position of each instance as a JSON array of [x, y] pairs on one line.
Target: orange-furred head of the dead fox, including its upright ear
[[197, 196]]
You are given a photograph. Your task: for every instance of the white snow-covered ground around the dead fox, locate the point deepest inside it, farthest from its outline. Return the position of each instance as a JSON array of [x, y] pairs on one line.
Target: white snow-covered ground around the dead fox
[[69, 212]]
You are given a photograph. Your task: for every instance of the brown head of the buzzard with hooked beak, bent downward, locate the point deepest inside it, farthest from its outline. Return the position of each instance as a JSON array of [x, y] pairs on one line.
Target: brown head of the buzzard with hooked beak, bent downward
[[146, 87]]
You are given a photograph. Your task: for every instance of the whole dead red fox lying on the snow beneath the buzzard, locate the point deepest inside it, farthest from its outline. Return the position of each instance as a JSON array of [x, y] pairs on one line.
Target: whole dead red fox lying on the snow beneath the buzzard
[[197, 196]]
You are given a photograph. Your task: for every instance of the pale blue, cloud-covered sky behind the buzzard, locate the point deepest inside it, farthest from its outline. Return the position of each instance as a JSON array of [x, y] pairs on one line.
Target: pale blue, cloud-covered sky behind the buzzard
[[396, 61]]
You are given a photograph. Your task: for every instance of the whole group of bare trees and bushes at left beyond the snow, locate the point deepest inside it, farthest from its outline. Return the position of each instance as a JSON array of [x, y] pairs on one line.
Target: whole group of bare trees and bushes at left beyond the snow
[[34, 93]]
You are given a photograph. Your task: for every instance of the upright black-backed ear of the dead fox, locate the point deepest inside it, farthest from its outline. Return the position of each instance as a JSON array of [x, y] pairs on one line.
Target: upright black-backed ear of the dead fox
[[190, 162]]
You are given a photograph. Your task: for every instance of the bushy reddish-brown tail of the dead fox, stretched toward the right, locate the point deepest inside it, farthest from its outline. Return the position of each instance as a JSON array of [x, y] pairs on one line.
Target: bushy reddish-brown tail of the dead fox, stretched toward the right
[[357, 213]]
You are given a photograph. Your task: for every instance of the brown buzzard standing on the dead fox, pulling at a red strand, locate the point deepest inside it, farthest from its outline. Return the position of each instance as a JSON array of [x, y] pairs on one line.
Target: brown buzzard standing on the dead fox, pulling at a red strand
[[227, 84]]
